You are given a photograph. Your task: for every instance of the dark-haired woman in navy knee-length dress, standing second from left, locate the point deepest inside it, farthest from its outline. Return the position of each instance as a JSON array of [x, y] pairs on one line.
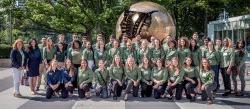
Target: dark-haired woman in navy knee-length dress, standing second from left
[[34, 60]]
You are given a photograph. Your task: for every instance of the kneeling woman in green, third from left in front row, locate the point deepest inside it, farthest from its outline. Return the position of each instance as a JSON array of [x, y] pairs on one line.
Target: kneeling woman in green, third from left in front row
[[85, 77]]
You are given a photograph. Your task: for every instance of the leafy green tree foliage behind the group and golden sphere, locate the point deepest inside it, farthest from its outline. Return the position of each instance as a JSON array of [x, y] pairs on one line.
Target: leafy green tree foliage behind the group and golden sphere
[[90, 17]]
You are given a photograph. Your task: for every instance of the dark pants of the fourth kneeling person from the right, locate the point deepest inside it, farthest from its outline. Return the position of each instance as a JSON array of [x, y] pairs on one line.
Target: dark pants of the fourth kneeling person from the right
[[160, 90]]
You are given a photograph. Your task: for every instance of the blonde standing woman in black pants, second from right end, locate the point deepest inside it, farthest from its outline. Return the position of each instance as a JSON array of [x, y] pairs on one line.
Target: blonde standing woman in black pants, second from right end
[[227, 61]]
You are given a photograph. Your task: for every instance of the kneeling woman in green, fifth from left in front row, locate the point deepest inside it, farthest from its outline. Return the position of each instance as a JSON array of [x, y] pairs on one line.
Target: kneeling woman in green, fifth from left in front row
[[117, 75]]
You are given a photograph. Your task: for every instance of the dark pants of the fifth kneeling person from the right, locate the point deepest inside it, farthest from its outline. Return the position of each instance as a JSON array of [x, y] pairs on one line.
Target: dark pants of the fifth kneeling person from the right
[[146, 90]]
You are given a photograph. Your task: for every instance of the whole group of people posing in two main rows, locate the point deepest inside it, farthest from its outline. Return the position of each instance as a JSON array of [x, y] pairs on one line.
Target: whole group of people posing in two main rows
[[162, 69]]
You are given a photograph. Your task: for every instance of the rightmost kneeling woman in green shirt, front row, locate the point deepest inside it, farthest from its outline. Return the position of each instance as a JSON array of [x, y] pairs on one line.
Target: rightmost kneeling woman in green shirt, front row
[[206, 82]]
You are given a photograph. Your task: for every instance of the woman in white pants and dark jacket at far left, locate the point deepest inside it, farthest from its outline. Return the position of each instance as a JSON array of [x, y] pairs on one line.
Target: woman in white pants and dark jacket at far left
[[18, 59]]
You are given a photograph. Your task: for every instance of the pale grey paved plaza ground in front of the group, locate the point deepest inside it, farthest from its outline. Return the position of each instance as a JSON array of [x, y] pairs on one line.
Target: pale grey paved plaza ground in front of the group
[[39, 101]]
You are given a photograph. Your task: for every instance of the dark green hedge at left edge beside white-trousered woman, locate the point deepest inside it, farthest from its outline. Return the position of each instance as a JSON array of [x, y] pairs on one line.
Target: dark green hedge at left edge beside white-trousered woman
[[5, 51]]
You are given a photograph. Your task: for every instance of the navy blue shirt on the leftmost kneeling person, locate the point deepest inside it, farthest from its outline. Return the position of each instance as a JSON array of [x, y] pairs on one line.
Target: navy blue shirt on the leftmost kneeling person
[[54, 77]]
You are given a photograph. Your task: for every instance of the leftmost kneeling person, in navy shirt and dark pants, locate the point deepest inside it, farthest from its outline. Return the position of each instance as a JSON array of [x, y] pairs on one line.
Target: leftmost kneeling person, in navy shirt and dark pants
[[55, 82]]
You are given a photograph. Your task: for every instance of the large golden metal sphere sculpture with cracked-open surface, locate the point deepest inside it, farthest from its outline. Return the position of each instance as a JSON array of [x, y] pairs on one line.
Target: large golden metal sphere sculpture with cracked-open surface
[[146, 19]]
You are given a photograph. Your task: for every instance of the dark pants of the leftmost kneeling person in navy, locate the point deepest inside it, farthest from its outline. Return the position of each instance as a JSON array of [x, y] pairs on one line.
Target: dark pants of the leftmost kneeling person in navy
[[50, 91]]
